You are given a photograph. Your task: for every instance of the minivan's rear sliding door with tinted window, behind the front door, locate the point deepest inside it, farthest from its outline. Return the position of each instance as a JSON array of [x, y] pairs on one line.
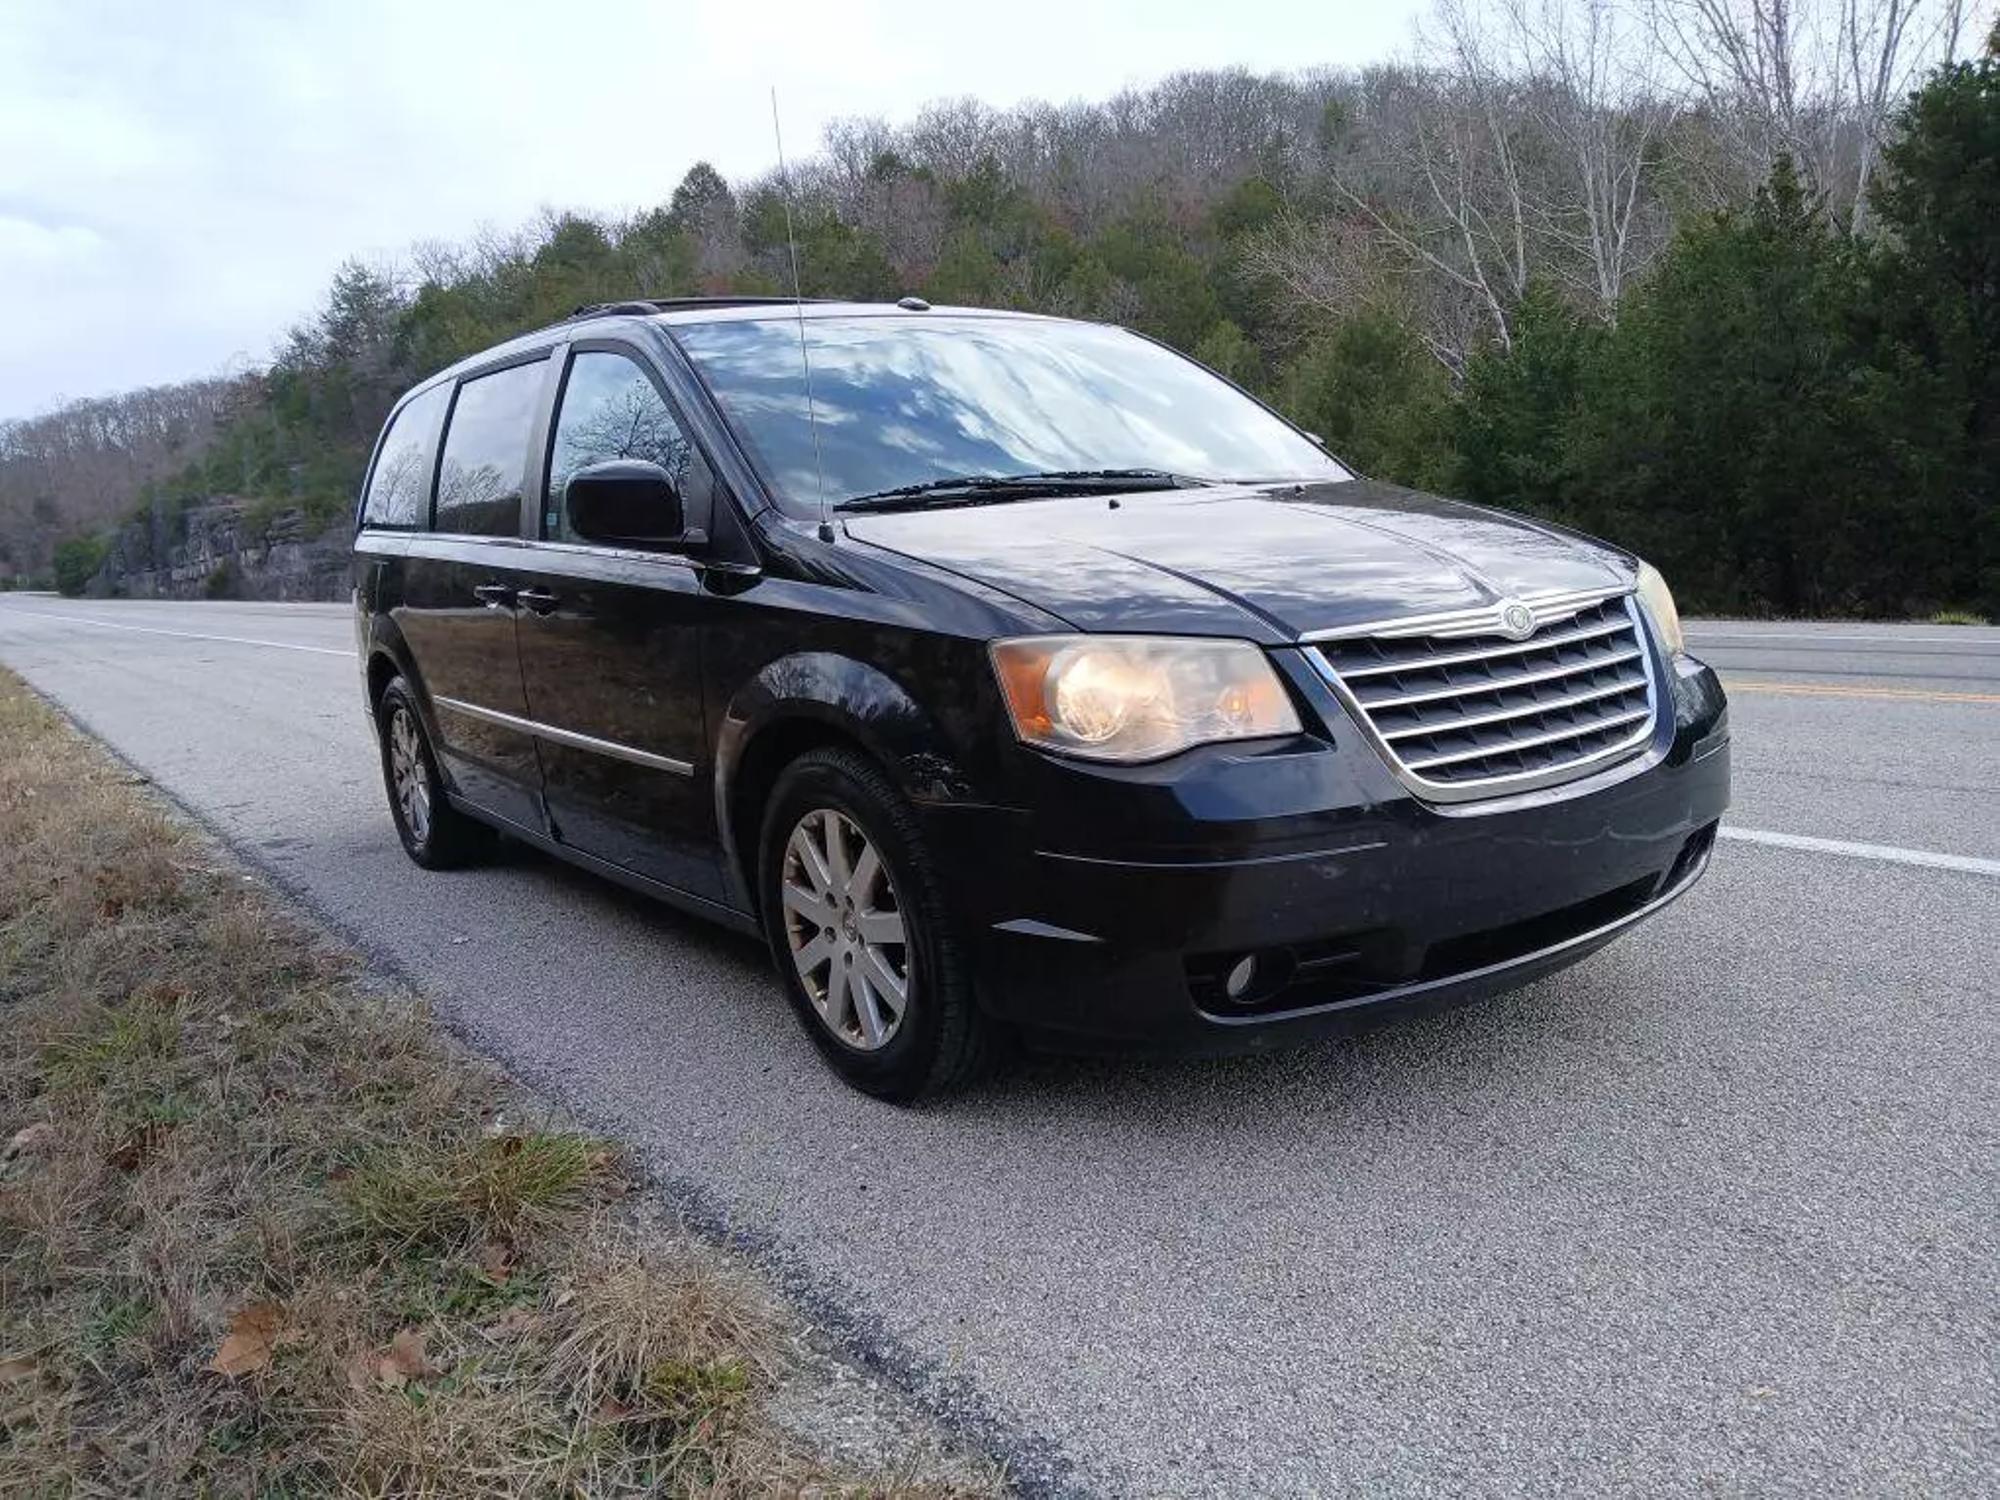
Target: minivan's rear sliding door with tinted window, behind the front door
[[461, 587]]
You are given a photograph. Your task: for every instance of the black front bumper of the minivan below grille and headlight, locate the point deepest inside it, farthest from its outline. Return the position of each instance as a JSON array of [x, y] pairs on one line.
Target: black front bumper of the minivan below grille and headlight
[[1113, 915]]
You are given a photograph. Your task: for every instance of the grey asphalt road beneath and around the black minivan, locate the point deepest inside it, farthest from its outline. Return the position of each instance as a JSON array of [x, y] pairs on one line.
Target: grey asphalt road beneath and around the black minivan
[[1711, 1213]]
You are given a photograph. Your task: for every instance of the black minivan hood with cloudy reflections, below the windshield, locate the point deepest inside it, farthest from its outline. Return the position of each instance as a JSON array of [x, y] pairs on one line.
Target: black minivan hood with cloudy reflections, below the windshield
[[1271, 563]]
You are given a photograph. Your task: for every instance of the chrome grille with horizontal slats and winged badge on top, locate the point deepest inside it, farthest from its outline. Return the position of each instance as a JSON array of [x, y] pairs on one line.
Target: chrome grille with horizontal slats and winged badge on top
[[1469, 711]]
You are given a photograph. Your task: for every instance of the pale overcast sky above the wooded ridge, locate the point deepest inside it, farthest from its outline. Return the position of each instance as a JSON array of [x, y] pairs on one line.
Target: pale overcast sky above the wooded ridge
[[179, 179]]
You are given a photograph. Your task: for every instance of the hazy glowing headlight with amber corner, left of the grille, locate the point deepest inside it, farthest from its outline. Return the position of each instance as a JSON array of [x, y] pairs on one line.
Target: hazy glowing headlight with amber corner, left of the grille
[[1139, 697]]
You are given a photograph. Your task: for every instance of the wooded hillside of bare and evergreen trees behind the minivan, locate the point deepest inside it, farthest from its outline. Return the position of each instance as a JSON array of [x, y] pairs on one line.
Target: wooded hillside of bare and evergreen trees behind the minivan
[[1715, 279]]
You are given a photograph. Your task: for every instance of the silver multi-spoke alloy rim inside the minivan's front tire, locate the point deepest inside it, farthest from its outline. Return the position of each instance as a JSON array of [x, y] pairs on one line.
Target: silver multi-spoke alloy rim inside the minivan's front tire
[[845, 929]]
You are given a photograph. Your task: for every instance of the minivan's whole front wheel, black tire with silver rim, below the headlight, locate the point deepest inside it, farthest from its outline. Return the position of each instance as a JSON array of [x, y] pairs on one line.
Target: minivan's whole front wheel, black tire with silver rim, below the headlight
[[861, 933]]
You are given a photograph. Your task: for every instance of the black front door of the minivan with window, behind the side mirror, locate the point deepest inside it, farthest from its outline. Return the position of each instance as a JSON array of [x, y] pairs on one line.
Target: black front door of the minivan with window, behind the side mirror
[[611, 645]]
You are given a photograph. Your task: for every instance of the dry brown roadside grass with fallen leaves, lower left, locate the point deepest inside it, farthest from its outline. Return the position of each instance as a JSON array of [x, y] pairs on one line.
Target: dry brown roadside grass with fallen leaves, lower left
[[265, 1231]]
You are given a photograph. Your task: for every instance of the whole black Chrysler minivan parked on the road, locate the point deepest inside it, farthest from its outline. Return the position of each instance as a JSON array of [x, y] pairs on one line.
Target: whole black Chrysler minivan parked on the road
[[1013, 677]]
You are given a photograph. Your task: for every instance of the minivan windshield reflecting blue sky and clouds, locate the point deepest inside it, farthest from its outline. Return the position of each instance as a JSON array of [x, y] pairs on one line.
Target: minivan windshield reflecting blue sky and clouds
[[923, 399]]
